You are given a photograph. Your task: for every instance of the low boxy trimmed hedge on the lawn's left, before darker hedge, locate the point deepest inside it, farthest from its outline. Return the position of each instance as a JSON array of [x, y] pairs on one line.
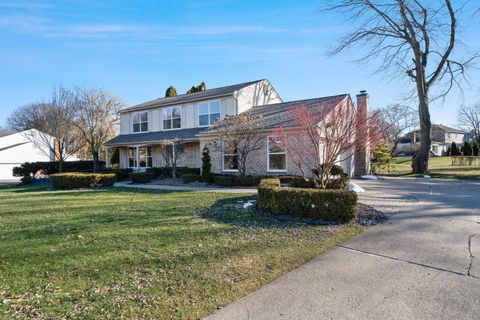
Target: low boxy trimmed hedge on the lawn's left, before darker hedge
[[82, 180]]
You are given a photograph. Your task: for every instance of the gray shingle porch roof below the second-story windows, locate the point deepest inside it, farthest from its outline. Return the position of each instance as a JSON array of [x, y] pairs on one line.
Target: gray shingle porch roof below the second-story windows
[[157, 136]]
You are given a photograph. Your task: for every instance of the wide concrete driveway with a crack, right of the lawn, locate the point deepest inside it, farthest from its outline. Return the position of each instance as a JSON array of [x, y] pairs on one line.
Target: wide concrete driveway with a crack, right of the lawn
[[423, 263]]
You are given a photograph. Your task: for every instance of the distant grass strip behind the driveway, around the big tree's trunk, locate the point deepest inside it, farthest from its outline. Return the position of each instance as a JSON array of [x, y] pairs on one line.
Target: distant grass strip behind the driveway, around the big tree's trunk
[[439, 167]]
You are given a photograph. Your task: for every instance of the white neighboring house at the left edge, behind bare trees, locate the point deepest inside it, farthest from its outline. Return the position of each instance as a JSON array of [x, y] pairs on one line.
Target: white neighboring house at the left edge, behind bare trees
[[17, 148]]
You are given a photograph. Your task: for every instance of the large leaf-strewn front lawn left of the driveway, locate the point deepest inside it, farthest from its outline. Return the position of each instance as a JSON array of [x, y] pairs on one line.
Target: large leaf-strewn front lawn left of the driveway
[[126, 254]]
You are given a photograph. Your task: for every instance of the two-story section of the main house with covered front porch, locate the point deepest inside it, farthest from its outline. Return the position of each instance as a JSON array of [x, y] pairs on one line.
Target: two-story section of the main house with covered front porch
[[144, 127]]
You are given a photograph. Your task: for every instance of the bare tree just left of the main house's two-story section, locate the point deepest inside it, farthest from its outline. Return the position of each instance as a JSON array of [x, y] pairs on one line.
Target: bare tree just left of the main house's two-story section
[[95, 117]]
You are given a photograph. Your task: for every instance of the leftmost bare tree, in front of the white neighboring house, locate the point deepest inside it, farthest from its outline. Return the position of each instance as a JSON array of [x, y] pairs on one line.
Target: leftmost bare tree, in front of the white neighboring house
[[54, 123]]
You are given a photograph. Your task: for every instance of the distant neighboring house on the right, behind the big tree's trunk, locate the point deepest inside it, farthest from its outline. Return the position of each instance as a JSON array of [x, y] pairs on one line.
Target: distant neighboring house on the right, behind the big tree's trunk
[[442, 137]]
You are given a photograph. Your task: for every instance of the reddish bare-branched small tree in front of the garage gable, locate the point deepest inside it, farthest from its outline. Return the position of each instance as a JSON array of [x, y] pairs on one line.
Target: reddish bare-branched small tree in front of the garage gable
[[325, 135]]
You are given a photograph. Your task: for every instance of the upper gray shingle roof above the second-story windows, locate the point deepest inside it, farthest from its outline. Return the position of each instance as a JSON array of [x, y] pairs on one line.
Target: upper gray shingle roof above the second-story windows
[[184, 98]]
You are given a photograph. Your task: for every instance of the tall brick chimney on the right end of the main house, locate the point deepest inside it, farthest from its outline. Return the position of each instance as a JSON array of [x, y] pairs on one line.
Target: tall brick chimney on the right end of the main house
[[362, 150]]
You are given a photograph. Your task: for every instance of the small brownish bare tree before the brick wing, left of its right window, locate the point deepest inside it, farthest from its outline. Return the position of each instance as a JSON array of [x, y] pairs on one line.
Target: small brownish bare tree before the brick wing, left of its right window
[[241, 134]]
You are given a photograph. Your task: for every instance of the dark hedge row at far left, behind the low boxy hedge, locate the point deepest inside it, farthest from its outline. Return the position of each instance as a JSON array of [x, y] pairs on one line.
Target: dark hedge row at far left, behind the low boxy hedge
[[52, 167]]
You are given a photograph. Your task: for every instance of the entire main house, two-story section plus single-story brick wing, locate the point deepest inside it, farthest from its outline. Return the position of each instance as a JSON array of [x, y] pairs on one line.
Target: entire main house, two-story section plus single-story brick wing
[[146, 127]]
